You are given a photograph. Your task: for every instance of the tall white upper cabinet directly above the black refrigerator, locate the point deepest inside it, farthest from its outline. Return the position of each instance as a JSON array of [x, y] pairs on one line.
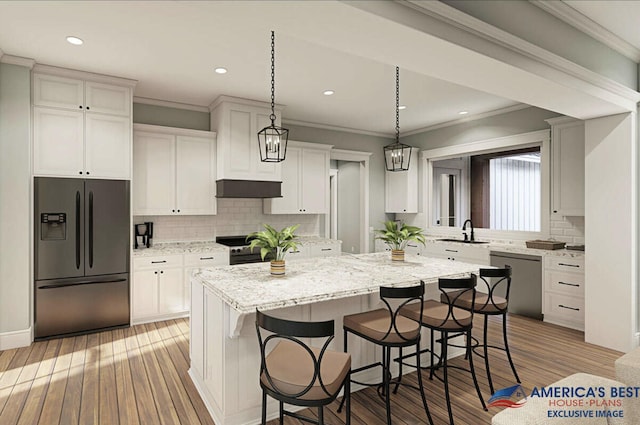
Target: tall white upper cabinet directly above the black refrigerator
[[81, 128]]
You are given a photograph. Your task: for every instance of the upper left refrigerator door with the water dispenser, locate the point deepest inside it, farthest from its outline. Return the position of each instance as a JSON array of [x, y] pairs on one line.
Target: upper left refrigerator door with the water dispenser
[[58, 227]]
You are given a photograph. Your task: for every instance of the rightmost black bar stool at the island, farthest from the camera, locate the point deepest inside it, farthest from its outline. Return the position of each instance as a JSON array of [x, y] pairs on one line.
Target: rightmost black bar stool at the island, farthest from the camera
[[489, 303]]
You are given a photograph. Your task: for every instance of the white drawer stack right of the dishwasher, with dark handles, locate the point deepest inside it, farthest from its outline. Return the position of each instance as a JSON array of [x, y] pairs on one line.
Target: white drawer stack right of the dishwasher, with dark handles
[[563, 300]]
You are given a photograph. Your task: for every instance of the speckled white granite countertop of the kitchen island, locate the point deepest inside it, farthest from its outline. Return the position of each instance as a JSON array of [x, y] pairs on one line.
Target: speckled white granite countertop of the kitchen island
[[250, 286]]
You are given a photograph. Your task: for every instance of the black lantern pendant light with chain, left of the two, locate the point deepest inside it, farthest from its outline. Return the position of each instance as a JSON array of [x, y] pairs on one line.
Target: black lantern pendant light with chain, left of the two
[[272, 140]]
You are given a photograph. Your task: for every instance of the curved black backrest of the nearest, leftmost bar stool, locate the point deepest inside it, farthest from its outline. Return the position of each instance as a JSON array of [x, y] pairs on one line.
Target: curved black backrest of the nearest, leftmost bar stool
[[290, 330]]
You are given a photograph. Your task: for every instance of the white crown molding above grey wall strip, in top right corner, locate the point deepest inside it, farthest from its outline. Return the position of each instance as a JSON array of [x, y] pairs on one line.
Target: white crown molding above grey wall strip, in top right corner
[[573, 17]]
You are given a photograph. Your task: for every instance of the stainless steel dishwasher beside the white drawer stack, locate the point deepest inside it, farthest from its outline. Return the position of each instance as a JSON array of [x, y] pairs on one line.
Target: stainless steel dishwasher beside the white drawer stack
[[525, 296]]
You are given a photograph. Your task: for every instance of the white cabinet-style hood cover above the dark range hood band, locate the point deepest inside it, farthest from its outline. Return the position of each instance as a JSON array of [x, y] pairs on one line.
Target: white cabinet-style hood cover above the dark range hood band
[[236, 123]]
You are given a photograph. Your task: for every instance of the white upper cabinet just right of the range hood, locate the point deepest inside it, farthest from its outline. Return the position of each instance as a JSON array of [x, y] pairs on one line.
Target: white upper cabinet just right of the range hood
[[305, 181]]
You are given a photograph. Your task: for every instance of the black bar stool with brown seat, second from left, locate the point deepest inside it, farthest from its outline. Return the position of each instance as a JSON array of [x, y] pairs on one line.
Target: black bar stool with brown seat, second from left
[[387, 328]]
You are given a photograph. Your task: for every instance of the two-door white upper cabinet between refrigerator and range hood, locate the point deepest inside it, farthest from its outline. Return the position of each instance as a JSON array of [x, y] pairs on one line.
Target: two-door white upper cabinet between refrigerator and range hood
[[173, 171]]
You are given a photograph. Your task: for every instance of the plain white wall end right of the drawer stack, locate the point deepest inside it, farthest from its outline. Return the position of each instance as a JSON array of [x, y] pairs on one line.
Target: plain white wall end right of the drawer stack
[[611, 168]]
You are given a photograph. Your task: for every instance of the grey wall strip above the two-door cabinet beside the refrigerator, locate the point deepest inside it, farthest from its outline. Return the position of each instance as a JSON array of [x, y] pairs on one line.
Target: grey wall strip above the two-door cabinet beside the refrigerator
[[170, 117]]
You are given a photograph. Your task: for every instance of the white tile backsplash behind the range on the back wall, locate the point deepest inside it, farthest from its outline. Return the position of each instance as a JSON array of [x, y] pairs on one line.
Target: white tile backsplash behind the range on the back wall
[[235, 217]]
